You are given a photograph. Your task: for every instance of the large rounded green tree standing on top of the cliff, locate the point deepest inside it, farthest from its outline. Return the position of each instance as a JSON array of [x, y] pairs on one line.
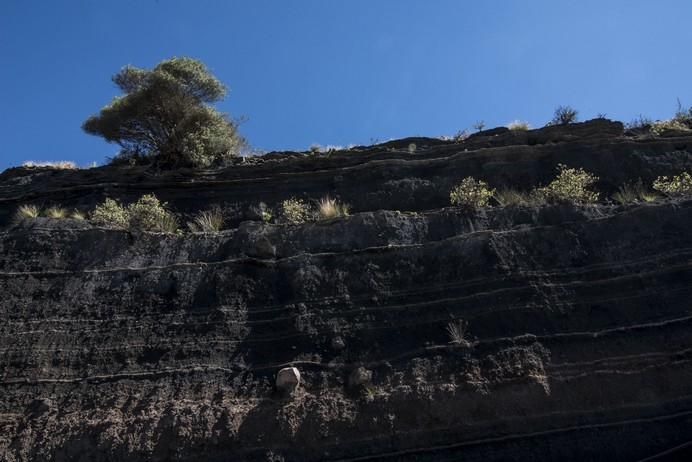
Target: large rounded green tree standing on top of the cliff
[[165, 116]]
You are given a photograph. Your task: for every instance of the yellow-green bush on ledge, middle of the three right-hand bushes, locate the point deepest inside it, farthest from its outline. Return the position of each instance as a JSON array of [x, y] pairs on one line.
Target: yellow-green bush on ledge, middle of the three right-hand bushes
[[570, 185]]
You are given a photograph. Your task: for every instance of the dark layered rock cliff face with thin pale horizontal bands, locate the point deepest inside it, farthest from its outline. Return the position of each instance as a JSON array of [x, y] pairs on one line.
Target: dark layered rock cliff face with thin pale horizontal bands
[[575, 321]]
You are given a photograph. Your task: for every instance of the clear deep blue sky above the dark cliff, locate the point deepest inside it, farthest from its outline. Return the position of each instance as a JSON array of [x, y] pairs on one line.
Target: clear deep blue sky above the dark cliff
[[341, 72]]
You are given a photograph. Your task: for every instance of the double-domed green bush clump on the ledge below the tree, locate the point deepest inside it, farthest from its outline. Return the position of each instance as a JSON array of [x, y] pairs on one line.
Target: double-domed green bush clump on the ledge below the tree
[[146, 214]]
